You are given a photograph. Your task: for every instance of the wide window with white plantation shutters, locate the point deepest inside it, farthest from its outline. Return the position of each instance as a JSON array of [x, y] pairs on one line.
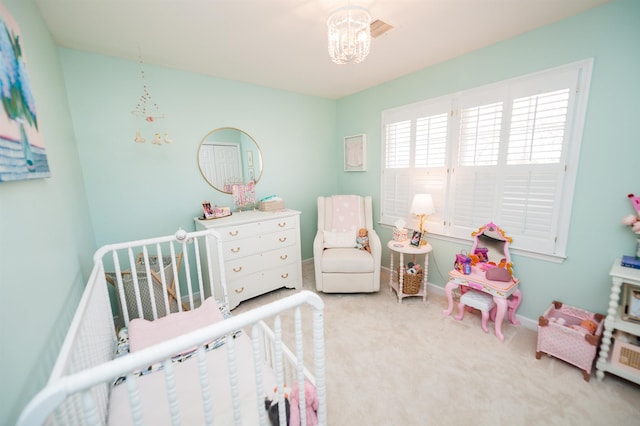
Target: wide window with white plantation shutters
[[505, 153]]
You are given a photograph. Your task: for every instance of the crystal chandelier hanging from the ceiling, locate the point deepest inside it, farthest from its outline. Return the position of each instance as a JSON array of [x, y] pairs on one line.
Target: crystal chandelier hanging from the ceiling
[[349, 34]]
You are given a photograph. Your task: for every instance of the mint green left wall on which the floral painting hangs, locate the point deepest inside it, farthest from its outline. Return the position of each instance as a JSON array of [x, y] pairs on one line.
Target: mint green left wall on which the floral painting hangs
[[46, 237]]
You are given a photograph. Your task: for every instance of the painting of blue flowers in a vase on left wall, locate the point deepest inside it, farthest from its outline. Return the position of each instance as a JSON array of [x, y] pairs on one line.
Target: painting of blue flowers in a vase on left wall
[[22, 152]]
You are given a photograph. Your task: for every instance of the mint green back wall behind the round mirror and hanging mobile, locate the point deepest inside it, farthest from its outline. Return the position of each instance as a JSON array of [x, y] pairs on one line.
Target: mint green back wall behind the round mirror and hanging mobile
[[141, 190]]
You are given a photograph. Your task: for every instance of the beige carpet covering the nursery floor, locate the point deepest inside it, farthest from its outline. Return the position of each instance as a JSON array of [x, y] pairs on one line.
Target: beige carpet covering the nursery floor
[[407, 364]]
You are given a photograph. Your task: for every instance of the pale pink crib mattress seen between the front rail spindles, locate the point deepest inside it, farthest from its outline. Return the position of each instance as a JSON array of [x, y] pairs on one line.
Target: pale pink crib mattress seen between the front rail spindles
[[153, 390]]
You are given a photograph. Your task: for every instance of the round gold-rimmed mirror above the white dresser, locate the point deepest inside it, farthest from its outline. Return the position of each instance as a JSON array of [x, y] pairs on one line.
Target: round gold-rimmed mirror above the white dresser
[[228, 156]]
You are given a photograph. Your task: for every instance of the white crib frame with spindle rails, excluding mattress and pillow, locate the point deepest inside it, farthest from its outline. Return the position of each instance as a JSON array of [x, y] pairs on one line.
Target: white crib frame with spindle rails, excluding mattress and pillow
[[80, 383]]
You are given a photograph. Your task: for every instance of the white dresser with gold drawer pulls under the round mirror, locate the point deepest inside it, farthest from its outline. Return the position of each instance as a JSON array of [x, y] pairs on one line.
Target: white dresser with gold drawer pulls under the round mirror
[[261, 252]]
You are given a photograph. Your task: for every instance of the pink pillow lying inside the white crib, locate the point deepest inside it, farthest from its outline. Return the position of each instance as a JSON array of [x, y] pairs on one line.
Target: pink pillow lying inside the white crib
[[144, 333]]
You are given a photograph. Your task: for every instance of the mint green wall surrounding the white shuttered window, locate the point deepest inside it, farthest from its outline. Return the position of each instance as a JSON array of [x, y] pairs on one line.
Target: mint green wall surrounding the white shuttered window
[[610, 153]]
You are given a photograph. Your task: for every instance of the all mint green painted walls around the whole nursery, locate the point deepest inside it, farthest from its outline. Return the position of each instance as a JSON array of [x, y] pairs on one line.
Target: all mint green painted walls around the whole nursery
[[106, 188]]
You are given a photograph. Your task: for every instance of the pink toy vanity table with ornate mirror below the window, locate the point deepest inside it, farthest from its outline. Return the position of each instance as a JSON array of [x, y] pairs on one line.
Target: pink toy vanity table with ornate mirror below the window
[[493, 245]]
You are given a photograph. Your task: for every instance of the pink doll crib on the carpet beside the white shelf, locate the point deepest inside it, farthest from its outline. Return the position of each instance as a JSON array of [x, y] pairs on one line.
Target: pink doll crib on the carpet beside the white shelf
[[570, 334]]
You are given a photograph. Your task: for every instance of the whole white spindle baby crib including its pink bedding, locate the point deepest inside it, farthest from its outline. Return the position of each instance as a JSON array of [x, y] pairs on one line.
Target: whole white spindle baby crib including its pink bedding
[[199, 365]]
